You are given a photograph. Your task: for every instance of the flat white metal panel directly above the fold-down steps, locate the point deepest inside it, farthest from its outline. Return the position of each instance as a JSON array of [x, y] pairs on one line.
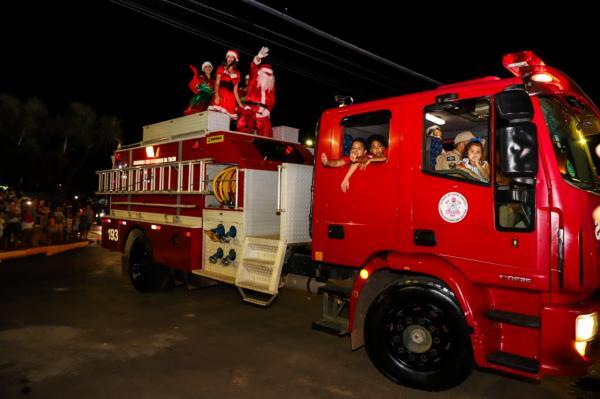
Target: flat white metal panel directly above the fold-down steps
[[260, 203]]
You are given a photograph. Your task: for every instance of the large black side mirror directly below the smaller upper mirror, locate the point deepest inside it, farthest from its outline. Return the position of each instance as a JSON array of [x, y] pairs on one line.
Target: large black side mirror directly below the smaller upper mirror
[[518, 149]]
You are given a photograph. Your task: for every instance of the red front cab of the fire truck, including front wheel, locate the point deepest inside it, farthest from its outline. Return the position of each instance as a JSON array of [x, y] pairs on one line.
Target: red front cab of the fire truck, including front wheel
[[459, 264]]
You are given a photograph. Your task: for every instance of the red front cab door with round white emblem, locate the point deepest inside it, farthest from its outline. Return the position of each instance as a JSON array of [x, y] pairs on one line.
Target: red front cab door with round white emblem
[[465, 210]]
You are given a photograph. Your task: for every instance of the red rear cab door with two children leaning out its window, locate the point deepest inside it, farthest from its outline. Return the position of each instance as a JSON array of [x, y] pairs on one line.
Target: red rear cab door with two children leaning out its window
[[349, 225]]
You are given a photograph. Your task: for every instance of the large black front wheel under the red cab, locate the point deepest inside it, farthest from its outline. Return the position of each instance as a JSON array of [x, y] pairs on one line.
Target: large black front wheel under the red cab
[[417, 336]]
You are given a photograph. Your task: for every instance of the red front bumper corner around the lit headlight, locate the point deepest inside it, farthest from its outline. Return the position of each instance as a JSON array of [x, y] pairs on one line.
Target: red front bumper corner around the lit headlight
[[559, 355]]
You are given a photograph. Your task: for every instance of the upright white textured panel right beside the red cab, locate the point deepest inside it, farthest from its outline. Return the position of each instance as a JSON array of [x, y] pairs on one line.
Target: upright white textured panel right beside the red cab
[[295, 201]]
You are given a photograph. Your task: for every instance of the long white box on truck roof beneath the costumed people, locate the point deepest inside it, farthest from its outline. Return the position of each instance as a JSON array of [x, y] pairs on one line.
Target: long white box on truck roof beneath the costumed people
[[201, 122]]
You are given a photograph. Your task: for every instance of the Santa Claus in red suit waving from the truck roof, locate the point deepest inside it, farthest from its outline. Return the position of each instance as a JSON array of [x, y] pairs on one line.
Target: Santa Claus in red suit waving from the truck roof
[[256, 115]]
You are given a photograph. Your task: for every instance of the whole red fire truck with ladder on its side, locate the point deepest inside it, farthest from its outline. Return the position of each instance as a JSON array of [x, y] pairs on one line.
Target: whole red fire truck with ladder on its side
[[447, 268]]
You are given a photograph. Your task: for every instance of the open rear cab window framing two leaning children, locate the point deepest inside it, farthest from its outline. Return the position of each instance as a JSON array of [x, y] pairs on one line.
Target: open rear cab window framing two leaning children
[[370, 126]]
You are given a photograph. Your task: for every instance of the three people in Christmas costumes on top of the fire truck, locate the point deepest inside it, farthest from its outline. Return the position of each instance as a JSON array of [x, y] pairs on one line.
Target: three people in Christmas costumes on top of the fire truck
[[248, 105]]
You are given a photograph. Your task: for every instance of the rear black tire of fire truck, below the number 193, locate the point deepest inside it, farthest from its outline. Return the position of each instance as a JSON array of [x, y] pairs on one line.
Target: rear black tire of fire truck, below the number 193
[[144, 274]]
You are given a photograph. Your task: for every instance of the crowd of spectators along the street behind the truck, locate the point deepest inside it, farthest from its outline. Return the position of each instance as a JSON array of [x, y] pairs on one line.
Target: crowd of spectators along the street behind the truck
[[30, 222]]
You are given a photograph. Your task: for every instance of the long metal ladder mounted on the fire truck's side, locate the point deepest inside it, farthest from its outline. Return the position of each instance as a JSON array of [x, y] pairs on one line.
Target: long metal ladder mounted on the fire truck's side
[[183, 177]]
